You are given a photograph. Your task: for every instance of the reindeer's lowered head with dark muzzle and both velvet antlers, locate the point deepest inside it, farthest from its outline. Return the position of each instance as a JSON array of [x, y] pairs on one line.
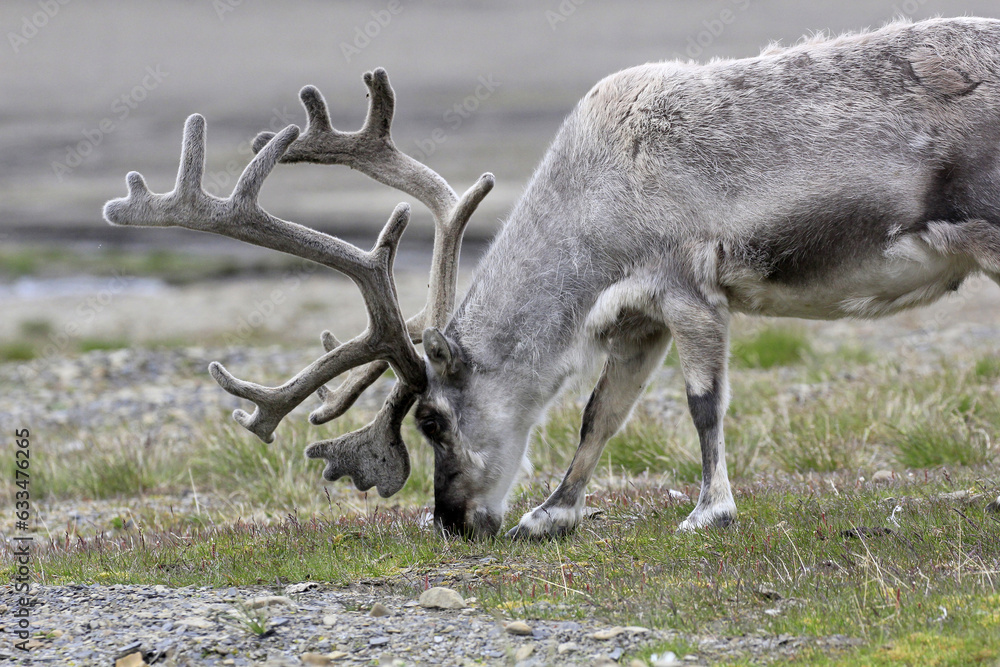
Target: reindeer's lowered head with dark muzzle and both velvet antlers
[[374, 455]]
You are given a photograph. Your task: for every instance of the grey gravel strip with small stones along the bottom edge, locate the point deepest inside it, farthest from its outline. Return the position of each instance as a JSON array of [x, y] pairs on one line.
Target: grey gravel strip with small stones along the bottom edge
[[98, 625]]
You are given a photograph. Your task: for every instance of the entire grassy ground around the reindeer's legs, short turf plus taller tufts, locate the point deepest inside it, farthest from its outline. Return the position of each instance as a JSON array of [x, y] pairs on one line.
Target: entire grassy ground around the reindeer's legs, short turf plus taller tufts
[[801, 437]]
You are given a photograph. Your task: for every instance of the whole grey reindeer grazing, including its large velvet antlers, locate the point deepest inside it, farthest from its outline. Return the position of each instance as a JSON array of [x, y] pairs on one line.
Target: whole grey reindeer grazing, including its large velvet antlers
[[846, 177]]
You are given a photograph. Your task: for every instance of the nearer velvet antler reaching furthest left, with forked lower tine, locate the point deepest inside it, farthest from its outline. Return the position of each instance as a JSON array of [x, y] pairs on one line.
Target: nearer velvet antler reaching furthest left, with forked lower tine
[[239, 216]]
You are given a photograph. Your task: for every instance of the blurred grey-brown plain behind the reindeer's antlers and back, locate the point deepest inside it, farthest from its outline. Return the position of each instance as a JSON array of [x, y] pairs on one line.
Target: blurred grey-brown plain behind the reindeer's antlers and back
[[92, 90]]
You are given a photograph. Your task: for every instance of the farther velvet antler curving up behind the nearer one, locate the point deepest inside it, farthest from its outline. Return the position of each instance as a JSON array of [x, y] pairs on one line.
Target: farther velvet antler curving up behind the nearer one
[[372, 151]]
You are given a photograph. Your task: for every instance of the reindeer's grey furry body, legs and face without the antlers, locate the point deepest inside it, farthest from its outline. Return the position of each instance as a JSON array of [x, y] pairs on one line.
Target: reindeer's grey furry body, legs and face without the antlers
[[842, 177]]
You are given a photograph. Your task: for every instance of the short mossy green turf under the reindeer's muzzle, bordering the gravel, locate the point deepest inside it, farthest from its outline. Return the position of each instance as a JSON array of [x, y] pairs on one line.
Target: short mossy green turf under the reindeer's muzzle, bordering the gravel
[[630, 568]]
